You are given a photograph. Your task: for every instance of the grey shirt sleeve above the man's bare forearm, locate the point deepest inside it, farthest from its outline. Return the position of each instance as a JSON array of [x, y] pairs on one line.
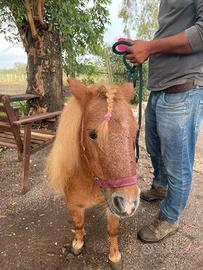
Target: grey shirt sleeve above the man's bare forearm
[[195, 32]]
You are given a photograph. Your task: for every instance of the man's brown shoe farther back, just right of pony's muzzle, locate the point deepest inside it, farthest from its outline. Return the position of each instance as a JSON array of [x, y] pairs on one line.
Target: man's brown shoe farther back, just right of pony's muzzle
[[153, 194]]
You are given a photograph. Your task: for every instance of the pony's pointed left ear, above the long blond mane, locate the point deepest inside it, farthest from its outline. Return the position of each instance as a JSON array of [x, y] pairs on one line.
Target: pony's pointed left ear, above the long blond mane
[[78, 90]]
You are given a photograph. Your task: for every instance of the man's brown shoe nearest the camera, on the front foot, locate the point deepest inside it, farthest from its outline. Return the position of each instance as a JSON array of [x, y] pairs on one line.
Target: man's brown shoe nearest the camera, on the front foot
[[157, 230]]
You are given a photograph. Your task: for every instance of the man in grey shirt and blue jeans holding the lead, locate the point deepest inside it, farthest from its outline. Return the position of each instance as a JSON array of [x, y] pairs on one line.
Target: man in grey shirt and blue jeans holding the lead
[[174, 110]]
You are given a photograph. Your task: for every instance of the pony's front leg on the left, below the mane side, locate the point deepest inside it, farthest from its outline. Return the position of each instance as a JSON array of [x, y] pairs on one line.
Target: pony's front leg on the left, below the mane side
[[78, 222]]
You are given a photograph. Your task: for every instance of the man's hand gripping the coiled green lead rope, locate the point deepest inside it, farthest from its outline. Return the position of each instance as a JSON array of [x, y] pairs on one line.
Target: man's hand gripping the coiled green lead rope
[[139, 52]]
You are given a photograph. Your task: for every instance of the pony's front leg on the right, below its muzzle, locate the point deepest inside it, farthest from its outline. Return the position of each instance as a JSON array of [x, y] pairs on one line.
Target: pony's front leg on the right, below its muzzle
[[113, 227]]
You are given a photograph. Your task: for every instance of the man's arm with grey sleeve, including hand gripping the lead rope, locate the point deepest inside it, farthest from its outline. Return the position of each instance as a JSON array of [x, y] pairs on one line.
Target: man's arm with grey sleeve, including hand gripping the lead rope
[[187, 42]]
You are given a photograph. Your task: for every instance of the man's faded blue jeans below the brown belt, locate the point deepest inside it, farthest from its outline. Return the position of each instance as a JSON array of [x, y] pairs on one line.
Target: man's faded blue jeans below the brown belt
[[172, 127]]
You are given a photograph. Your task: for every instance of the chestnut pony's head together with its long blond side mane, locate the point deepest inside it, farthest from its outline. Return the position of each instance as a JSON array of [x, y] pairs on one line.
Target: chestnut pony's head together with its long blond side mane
[[95, 137]]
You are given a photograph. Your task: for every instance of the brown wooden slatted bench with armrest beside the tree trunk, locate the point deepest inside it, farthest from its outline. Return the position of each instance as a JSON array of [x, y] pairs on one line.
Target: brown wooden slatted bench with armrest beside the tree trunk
[[18, 133]]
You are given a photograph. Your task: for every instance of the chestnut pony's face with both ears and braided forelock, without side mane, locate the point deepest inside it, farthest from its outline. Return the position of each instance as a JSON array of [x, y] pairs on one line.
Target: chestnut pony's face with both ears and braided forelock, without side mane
[[107, 136]]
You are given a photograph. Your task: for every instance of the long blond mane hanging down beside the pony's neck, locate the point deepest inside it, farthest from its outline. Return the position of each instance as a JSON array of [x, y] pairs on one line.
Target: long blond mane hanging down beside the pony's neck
[[64, 158]]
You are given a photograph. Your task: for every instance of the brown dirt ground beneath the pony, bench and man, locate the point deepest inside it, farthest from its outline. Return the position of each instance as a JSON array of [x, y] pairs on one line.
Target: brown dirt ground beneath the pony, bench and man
[[34, 227]]
